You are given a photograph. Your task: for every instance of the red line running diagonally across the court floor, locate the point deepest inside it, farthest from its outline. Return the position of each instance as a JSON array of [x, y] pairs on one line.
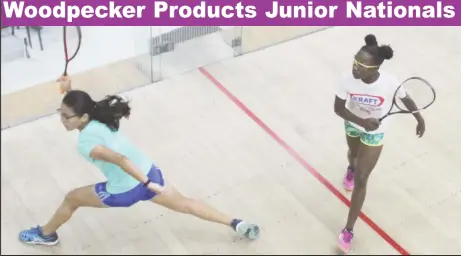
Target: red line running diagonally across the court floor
[[303, 162]]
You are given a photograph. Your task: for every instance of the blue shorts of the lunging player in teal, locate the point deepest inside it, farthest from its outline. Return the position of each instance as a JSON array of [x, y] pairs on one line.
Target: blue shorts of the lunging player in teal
[[133, 196]]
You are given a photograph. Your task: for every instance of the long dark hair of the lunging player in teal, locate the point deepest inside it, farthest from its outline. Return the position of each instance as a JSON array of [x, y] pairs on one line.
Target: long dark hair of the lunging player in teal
[[108, 111]]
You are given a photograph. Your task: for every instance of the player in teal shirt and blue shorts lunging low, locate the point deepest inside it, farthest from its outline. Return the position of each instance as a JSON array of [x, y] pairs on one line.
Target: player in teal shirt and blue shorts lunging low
[[131, 175]]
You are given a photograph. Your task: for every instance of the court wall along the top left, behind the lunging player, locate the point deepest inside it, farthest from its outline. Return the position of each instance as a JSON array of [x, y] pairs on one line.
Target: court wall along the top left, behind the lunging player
[[116, 59]]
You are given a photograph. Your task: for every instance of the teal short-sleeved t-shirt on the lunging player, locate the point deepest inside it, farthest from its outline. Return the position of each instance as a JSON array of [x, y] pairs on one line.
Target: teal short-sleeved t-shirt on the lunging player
[[118, 181]]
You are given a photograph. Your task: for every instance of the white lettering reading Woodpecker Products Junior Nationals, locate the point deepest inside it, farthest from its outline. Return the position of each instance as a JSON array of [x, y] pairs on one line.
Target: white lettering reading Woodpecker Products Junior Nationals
[[355, 9]]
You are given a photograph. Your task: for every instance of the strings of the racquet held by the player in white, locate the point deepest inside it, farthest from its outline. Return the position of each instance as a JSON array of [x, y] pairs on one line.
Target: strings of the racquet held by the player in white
[[421, 93]]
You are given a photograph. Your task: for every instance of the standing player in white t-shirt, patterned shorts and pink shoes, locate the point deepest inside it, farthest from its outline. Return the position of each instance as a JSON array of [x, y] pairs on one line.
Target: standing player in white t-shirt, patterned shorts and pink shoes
[[361, 99]]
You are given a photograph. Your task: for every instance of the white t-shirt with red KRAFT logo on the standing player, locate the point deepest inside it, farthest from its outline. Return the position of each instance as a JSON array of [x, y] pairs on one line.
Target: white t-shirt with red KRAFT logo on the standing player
[[370, 100]]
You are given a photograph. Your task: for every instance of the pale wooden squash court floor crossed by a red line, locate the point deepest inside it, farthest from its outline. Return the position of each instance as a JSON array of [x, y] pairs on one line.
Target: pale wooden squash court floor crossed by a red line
[[256, 137]]
